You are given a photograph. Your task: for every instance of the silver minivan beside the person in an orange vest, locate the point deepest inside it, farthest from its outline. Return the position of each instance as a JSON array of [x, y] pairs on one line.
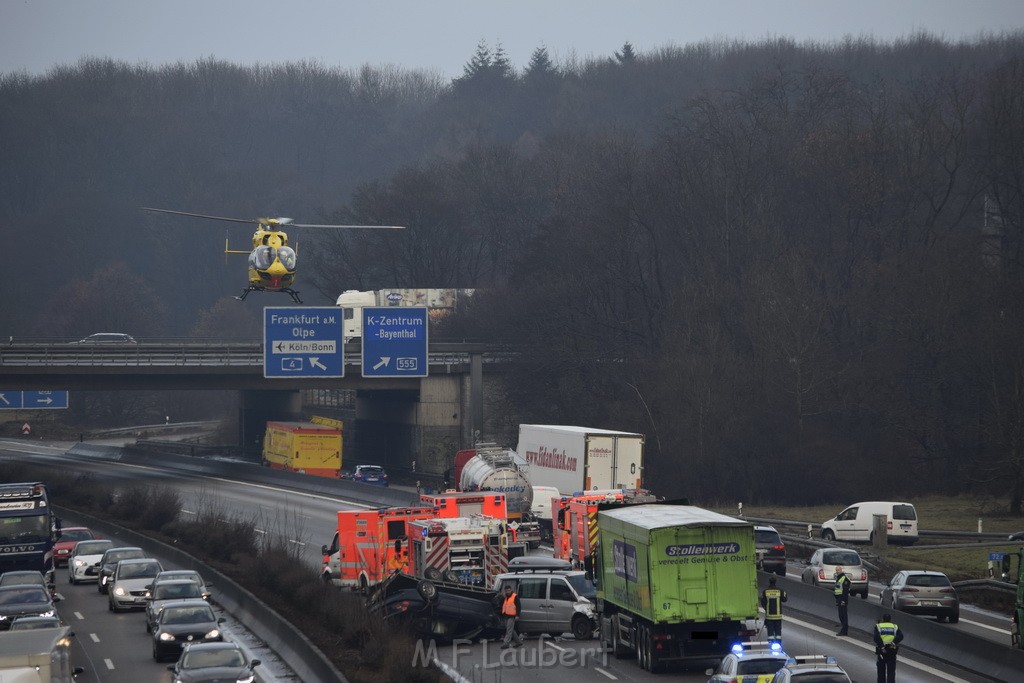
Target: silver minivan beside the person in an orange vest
[[554, 602]]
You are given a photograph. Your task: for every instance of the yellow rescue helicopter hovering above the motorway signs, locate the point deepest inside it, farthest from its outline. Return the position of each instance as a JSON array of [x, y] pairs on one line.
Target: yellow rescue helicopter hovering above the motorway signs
[[272, 263]]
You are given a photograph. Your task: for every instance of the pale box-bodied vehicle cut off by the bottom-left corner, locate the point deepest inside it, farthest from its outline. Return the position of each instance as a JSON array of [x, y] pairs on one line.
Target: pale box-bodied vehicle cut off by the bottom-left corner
[[39, 656]]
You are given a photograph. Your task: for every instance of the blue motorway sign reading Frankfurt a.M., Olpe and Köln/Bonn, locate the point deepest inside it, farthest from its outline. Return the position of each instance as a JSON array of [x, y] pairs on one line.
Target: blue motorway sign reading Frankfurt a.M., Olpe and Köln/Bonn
[[304, 343]]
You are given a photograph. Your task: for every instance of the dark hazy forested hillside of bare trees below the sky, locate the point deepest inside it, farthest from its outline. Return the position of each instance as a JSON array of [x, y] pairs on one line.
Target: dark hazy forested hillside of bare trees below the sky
[[796, 269]]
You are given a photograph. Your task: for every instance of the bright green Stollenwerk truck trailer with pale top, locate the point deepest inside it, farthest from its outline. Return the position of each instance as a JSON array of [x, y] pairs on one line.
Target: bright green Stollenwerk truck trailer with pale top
[[675, 583]]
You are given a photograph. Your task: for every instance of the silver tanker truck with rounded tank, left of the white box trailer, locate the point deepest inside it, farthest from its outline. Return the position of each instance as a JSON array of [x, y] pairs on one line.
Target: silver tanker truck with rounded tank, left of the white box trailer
[[494, 468]]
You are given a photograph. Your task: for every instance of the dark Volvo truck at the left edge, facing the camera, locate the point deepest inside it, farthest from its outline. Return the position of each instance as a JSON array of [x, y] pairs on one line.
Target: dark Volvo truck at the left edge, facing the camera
[[28, 529]]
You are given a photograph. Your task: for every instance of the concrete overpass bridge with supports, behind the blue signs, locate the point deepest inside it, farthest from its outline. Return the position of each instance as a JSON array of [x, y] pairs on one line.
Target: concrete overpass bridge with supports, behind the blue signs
[[423, 419]]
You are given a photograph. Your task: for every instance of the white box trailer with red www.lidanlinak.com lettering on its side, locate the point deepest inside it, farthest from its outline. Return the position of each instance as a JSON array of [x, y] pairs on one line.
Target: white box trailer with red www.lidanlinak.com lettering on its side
[[578, 459]]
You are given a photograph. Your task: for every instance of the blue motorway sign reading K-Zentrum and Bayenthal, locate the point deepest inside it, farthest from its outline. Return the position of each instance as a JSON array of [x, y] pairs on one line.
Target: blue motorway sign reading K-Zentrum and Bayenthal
[[395, 341]]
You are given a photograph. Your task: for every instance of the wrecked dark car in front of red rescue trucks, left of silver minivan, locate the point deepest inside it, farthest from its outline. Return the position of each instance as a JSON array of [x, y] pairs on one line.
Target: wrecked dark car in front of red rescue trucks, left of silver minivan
[[440, 611]]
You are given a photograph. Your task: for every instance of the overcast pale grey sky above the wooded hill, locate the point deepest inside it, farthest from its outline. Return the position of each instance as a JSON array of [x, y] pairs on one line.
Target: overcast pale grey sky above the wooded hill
[[442, 35]]
